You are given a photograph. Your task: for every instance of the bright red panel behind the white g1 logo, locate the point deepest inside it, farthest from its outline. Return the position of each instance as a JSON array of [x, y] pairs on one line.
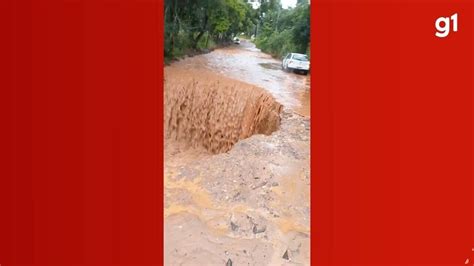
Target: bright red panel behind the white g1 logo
[[392, 134]]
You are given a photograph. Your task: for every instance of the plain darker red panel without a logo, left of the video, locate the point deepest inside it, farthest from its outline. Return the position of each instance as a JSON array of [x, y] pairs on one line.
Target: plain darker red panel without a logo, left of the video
[[81, 138]]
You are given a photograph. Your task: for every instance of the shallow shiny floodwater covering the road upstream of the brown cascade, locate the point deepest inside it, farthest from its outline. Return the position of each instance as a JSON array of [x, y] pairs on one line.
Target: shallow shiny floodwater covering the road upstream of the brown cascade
[[246, 63]]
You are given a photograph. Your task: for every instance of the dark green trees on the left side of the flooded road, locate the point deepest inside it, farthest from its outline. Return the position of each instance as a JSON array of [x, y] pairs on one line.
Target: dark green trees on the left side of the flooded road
[[188, 21]]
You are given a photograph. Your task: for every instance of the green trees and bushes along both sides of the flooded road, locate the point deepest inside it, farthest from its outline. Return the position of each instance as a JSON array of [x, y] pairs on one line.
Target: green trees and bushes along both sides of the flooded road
[[195, 26]]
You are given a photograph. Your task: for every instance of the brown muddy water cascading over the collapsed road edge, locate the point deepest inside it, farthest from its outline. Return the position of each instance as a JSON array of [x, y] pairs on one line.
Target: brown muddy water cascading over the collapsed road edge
[[216, 113]]
